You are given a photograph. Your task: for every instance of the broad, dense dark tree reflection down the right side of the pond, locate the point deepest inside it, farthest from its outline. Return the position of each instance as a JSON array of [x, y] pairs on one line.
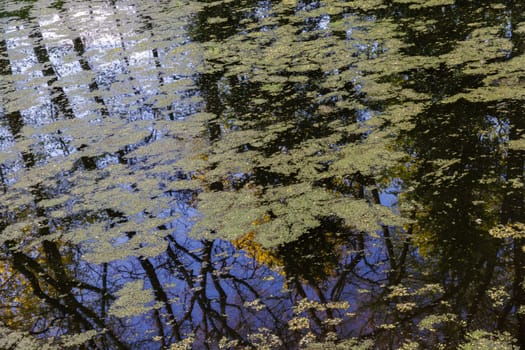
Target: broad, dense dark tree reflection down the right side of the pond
[[460, 181]]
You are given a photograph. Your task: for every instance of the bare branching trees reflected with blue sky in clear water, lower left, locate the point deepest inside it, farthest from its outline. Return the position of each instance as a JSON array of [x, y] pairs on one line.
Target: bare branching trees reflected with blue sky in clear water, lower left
[[210, 291]]
